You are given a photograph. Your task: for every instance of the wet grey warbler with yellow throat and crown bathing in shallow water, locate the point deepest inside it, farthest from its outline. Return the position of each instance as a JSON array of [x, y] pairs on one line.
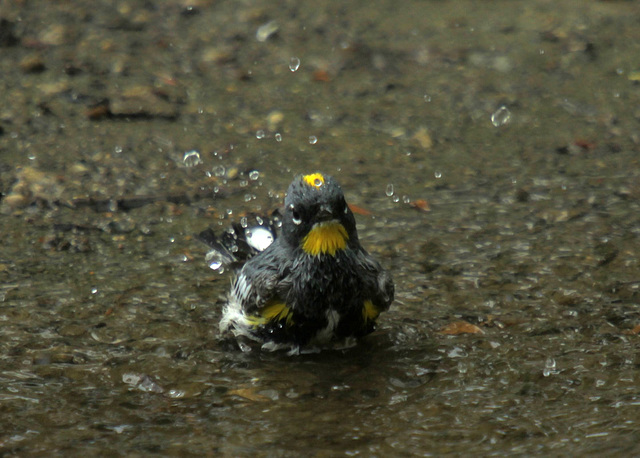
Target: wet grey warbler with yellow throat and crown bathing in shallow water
[[314, 285]]
